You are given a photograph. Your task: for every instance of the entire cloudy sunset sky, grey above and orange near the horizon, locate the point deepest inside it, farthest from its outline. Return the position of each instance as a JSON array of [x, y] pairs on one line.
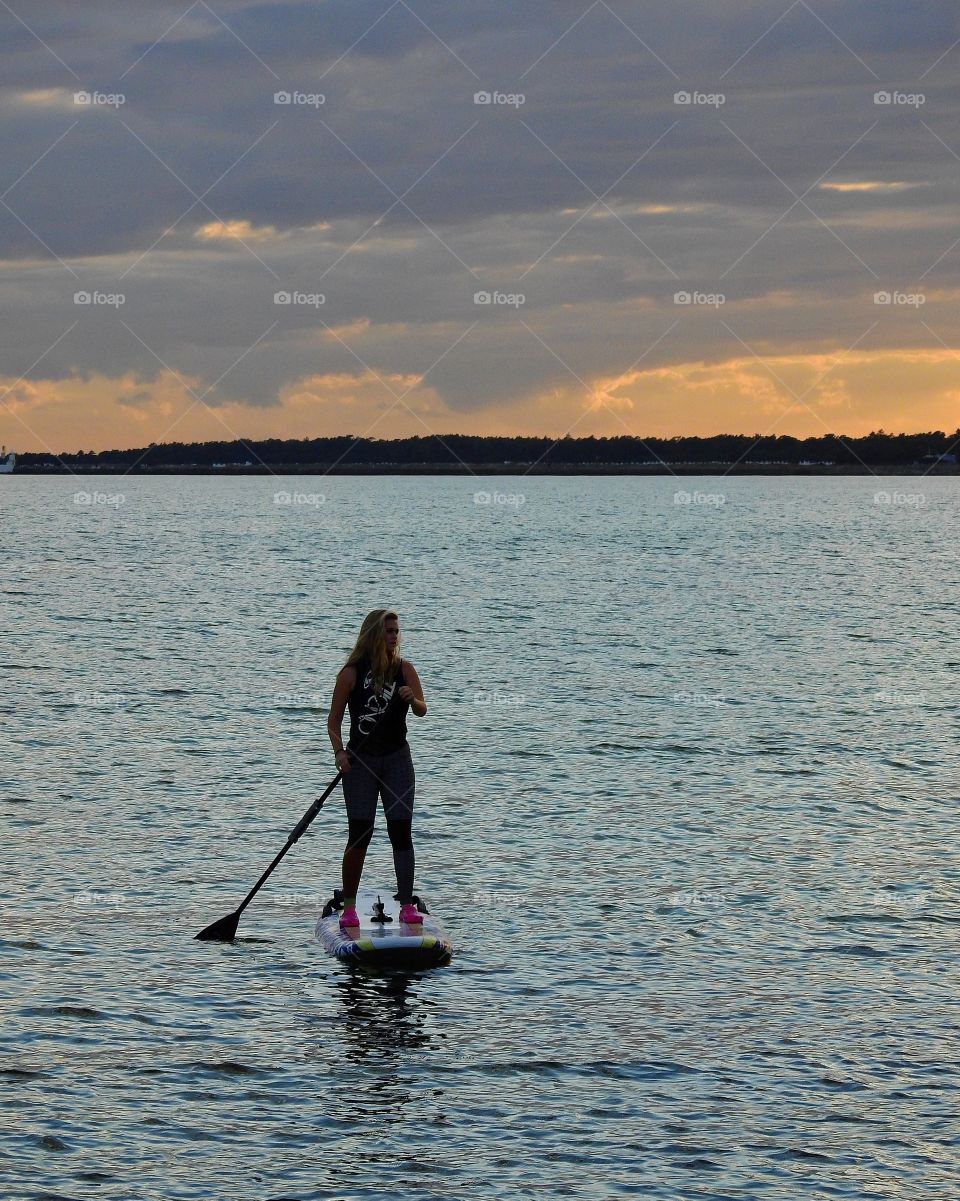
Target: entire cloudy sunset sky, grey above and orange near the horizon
[[408, 217]]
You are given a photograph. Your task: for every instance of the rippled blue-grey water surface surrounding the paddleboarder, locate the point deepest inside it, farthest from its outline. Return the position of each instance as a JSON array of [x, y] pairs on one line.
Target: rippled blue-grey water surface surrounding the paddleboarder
[[688, 806]]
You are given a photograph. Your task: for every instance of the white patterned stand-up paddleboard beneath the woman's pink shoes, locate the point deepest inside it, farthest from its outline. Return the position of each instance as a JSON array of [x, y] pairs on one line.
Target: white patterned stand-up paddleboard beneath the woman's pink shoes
[[381, 940]]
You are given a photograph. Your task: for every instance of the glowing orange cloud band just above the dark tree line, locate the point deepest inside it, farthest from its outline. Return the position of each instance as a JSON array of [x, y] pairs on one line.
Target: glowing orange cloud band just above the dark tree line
[[795, 395]]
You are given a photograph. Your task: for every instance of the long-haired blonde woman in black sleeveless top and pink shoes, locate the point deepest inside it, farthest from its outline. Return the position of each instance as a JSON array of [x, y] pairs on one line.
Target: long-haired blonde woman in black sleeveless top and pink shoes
[[379, 688]]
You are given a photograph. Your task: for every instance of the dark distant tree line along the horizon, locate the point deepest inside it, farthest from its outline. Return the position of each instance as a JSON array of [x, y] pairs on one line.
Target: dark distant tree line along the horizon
[[873, 450]]
